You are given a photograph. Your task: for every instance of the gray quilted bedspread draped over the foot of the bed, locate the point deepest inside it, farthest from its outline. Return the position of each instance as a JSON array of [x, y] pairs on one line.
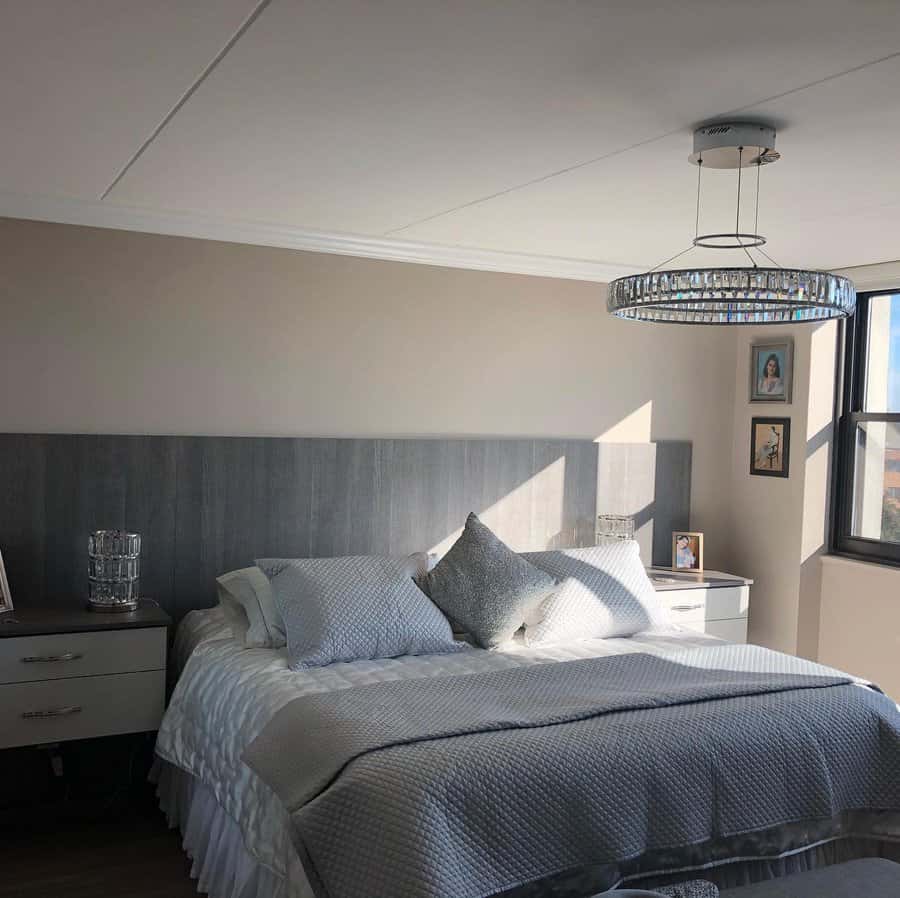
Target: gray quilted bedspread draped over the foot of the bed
[[464, 787]]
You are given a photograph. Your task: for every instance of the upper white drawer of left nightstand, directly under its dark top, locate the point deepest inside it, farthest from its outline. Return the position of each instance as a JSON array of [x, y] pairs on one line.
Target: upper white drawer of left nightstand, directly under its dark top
[[51, 657]]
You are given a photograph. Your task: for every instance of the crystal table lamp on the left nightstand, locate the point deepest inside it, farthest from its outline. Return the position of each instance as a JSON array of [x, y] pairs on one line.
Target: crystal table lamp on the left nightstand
[[114, 569]]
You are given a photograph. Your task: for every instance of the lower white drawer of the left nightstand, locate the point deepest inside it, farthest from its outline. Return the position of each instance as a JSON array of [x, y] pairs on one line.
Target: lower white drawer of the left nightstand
[[80, 708]]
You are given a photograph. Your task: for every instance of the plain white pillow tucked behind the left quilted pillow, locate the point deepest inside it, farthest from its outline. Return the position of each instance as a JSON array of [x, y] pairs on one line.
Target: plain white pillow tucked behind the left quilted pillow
[[246, 598]]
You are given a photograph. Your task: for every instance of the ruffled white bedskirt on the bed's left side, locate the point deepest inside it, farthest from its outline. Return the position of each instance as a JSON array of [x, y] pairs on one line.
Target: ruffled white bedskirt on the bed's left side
[[221, 865]]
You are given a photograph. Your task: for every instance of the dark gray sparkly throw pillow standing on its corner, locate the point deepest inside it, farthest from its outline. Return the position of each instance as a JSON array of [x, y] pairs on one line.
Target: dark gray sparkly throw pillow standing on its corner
[[485, 588]]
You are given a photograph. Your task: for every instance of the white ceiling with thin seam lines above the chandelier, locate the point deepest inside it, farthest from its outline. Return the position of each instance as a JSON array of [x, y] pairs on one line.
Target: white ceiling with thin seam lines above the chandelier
[[529, 133]]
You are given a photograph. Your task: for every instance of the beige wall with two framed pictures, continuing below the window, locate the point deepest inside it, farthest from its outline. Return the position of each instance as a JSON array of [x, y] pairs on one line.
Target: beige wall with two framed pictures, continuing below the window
[[842, 612]]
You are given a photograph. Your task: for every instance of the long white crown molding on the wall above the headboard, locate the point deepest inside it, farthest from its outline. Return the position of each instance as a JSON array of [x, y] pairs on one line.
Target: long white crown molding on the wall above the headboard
[[182, 224]]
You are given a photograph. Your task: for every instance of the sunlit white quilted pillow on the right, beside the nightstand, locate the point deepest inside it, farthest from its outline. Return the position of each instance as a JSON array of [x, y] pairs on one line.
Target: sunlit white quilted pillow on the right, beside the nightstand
[[604, 591]]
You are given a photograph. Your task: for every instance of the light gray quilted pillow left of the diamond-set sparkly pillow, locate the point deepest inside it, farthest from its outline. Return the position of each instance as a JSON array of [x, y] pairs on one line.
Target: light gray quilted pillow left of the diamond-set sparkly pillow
[[356, 607]]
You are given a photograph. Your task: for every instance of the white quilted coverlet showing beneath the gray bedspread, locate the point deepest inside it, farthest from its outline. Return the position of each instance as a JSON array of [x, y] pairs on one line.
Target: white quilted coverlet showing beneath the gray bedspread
[[227, 693]]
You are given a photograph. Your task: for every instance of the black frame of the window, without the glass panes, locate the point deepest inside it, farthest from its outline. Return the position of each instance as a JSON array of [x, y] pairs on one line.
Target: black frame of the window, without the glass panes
[[853, 390]]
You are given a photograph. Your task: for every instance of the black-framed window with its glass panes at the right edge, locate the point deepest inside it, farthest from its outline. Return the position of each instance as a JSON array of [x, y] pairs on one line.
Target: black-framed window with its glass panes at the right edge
[[868, 472]]
